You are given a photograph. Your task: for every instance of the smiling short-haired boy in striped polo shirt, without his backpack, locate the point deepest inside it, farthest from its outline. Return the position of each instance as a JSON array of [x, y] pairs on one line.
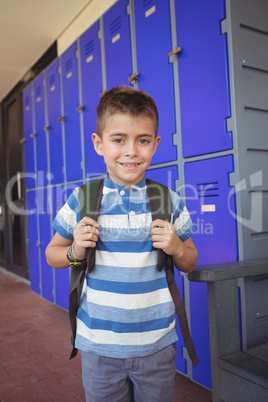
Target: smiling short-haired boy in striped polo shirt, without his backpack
[[126, 319]]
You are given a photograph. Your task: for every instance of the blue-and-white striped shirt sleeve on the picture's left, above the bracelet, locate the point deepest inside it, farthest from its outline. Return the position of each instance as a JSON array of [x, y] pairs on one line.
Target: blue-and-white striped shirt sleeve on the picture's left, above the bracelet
[[68, 216]]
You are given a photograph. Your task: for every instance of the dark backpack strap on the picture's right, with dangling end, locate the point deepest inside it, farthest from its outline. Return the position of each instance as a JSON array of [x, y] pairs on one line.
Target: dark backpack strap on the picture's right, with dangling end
[[161, 208]]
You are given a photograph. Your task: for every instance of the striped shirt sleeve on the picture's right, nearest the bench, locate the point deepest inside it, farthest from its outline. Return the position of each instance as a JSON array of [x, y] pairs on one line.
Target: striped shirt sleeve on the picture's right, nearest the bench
[[181, 218]]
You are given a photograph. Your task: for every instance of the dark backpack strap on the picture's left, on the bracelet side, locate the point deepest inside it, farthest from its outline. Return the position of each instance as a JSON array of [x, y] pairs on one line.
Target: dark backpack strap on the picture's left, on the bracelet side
[[90, 195]]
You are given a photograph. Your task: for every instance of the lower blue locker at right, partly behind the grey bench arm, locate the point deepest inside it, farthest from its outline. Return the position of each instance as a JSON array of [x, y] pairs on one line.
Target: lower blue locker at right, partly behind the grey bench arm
[[208, 201]]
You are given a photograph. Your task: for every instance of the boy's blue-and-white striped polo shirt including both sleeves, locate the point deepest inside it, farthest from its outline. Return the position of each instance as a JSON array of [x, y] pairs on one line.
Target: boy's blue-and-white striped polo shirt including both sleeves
[[126, 309]]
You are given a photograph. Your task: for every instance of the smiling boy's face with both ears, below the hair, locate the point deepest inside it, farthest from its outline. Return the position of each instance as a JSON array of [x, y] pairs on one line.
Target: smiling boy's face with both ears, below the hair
[[127, 145]]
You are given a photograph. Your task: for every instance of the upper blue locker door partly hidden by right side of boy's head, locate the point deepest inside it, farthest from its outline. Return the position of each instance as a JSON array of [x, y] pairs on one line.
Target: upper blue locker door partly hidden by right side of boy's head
[[153, 42]]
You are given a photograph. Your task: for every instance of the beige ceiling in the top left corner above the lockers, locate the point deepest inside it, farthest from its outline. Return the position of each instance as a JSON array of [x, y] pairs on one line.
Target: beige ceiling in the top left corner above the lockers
[[27, 29]]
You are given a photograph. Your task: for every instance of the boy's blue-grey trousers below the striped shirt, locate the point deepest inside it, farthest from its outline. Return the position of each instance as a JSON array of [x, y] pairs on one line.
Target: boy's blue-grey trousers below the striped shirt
[[139, 379]]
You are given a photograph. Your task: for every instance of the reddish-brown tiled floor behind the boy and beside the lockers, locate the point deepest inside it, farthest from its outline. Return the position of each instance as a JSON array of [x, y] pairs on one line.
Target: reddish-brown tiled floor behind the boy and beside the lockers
[[35, 346]]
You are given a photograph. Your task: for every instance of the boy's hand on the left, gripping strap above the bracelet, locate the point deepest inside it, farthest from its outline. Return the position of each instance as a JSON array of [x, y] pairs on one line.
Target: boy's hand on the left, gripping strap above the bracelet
[[86, 235]]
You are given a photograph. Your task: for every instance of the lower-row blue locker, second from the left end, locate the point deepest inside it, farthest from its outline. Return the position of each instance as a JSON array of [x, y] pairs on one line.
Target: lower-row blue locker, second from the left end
[[44, 212]]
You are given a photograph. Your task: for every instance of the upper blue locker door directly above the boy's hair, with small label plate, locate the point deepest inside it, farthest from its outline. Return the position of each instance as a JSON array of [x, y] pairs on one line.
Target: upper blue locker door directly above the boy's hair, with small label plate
[[117, 42]]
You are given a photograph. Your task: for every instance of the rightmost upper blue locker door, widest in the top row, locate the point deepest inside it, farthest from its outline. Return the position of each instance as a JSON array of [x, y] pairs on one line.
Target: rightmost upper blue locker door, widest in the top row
[[203, 76]]
